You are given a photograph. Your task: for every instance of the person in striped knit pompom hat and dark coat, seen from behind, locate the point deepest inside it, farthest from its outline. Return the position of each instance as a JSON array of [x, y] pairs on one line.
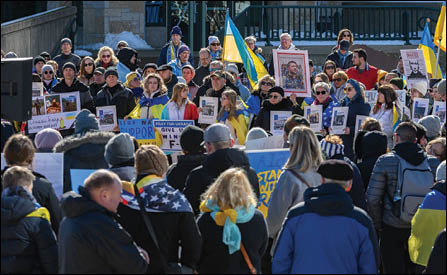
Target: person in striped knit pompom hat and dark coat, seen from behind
[[332, 148]]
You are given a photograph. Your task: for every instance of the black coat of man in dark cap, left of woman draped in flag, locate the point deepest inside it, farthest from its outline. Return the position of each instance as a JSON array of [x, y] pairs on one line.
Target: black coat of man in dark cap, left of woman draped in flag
[[119, 96]]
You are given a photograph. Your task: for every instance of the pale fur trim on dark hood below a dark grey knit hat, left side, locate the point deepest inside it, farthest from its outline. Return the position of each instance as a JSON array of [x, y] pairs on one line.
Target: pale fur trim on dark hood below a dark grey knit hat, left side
[[76, 141]]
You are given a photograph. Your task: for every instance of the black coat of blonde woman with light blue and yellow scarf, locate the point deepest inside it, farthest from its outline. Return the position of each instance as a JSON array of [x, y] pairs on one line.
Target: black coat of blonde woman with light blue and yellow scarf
[[215, 256]]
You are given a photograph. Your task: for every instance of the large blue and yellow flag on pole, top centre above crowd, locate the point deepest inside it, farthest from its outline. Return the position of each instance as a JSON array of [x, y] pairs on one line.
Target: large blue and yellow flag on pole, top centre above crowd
[[236, 50]]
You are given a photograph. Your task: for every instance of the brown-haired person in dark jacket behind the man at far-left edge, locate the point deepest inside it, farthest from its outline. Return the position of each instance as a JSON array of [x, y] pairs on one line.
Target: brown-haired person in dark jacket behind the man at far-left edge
[[19, 151]]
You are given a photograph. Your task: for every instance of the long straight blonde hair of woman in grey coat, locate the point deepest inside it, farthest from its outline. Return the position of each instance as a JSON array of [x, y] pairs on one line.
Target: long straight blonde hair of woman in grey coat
[[305, 151]]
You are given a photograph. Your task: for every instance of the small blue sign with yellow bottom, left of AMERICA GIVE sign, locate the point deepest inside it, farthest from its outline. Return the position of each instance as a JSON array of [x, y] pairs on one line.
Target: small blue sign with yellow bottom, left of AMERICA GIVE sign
[[141, 129]]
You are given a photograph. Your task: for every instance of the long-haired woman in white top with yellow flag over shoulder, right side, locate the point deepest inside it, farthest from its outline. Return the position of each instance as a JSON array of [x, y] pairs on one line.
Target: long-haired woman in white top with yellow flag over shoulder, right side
[[386, 111]]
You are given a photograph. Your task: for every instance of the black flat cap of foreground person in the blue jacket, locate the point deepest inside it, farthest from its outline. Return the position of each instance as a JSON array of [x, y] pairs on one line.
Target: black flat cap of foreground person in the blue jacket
[[336, 169]]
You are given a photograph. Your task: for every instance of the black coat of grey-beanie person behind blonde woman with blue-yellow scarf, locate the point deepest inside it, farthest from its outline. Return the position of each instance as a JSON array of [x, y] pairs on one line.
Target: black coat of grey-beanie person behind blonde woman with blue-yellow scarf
[[200, 178]]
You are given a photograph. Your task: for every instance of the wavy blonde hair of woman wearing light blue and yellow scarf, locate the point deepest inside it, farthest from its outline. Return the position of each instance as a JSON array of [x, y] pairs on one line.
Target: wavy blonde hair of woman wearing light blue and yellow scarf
[[231, 189]]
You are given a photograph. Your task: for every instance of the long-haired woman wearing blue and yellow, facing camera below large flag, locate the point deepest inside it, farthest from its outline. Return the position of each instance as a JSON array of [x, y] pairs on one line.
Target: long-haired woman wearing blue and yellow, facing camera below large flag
[[233, 116]]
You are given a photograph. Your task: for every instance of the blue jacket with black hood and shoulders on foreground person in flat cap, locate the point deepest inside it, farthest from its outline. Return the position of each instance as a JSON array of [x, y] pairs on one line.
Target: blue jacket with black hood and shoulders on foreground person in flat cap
[[306, 245]]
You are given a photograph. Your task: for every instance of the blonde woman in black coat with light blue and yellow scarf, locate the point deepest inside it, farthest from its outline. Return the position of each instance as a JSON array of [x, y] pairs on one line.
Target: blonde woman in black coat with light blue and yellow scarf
[[227, 241]]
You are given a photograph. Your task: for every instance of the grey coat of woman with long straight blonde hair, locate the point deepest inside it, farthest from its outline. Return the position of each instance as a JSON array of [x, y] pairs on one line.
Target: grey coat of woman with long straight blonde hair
[[287, 193]]
